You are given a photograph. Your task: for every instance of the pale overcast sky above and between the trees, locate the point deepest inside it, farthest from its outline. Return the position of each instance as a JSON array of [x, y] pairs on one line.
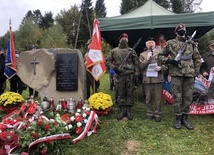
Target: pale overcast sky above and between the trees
[[17, 9]]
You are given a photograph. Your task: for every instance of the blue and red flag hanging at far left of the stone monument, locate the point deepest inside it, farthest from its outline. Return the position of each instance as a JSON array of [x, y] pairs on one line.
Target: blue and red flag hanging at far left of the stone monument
[[10, 61]]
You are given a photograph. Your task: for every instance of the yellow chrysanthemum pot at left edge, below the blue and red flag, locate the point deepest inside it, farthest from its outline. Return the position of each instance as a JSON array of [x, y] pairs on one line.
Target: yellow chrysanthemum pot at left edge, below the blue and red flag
[[10, 100]]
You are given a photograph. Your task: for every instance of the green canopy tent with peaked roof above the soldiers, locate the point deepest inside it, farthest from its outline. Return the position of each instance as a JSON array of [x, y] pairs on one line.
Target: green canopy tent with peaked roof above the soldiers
[[150, 20]]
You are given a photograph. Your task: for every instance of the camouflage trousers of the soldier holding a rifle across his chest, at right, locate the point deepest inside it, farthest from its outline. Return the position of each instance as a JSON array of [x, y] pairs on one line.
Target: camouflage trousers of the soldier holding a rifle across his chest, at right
[[182, 90]]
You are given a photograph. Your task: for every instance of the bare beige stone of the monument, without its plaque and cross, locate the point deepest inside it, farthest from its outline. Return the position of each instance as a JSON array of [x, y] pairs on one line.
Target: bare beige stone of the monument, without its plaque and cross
[[44, 81]]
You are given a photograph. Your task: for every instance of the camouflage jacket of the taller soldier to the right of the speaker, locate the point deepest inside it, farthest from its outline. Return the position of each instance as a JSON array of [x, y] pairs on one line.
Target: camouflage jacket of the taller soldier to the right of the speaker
[[188, 67]]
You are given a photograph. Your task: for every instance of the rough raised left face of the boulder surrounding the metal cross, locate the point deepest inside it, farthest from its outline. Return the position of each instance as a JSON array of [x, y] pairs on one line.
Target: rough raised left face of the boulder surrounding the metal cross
[[43, 70]]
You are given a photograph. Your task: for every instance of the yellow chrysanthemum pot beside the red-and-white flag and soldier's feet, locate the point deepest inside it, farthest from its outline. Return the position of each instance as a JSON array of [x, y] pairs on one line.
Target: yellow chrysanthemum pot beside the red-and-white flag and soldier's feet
[[100, 103]]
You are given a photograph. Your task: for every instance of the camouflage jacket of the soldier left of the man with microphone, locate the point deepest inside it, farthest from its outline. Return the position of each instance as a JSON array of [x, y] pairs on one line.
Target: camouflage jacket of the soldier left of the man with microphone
[[117, 57]]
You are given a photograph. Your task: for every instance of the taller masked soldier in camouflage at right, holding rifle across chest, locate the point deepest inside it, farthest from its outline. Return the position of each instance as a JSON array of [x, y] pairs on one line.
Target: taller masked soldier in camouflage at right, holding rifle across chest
[[182, 73]]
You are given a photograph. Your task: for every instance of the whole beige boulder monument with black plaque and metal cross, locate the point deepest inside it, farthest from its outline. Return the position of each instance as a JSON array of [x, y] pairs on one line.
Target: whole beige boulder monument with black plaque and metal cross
[[58, 73]]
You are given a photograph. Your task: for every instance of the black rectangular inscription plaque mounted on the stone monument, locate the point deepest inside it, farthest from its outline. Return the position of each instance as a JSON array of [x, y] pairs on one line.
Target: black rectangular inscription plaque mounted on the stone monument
[[66, 72]]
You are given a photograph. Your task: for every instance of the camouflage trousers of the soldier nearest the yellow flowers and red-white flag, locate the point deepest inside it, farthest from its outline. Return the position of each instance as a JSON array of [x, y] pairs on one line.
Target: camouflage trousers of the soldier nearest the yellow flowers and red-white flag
[[125, 90]]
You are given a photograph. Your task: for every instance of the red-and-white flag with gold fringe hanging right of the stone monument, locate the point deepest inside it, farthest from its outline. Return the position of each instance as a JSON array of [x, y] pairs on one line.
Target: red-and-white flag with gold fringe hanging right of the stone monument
[[95, 62]]
